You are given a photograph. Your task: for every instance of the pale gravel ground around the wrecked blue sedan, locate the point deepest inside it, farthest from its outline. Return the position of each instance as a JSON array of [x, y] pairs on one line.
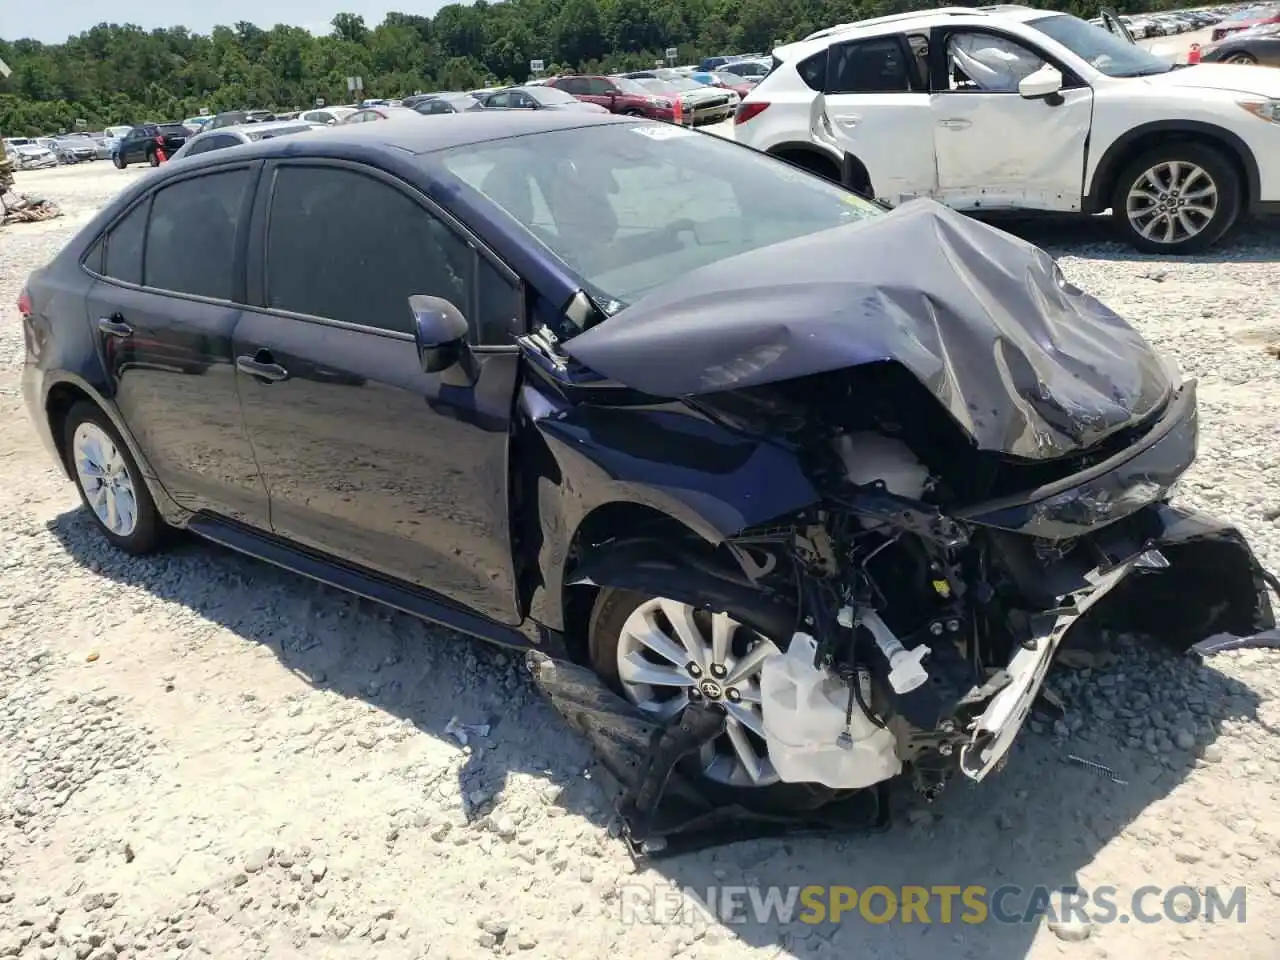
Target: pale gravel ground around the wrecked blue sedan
[[204, 756]]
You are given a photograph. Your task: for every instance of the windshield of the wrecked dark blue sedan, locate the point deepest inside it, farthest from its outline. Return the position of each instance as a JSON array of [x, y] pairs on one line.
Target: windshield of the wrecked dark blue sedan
[[630, 208]]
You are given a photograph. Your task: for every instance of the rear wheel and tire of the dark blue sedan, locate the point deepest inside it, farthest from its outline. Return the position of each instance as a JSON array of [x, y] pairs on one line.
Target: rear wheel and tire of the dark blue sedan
[[109, 482]]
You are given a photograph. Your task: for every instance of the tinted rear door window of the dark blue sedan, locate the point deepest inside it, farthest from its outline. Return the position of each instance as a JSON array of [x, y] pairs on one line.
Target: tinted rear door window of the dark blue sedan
[[193, 236]]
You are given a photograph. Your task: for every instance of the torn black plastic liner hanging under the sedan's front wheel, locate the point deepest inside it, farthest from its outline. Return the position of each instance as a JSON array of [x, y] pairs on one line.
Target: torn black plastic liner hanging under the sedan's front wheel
[[662, 811]]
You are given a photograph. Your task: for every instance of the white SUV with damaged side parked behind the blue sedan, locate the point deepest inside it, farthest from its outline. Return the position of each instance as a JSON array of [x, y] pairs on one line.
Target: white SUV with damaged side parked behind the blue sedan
[[1018, 109]]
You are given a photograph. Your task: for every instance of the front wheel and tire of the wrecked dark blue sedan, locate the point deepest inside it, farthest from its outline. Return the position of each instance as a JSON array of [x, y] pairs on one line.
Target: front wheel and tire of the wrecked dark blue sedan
[[661, 655]]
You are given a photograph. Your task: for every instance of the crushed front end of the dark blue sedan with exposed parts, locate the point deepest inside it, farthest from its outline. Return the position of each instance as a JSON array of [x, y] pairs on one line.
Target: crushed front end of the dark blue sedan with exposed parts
[[936, 615]]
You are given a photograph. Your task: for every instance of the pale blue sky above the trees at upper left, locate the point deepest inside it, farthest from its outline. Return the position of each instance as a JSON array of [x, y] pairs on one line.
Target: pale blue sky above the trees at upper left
[[53, 21]]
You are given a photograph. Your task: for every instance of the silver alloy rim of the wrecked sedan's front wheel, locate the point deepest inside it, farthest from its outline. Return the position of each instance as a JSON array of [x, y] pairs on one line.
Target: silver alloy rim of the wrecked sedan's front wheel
[[671, 655]]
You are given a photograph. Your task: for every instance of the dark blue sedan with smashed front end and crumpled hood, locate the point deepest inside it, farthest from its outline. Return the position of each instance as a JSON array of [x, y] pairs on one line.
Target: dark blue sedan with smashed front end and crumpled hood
[[788, 495]]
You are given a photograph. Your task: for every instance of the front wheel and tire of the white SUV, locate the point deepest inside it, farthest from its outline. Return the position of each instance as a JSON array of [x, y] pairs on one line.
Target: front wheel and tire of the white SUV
[[1178, 199]]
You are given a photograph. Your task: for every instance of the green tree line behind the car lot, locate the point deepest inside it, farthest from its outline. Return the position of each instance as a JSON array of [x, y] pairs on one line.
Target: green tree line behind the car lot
[[121, 74]]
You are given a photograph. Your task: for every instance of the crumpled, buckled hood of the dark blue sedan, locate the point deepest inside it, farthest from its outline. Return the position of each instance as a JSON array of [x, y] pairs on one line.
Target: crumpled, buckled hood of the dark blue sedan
[[1025, 363]]
